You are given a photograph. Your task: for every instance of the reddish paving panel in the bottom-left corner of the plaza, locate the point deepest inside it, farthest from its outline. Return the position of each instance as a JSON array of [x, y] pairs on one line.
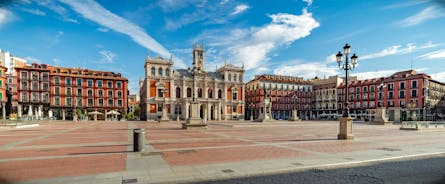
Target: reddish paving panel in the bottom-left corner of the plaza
[[48, 168]]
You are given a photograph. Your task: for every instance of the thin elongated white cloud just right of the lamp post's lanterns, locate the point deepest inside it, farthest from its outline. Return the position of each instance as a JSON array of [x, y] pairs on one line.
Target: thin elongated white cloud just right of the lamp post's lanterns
[[398, 49]]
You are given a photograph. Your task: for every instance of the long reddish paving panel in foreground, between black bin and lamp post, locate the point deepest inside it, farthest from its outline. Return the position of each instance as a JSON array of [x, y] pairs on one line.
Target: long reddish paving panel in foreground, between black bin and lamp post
[[223, 155]]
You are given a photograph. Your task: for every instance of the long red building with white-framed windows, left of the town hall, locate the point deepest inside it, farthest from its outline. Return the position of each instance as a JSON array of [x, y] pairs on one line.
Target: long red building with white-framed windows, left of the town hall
[[46, 91]]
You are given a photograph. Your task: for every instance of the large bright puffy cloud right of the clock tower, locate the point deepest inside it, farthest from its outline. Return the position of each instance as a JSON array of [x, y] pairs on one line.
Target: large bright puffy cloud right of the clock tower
[[284, 29]]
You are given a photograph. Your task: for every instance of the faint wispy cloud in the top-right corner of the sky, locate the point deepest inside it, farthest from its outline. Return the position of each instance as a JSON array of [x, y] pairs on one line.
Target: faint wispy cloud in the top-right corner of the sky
[[426, 14]]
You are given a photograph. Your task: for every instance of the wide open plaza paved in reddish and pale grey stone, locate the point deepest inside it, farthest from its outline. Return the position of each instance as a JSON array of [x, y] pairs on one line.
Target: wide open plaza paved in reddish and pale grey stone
[[101, 152]]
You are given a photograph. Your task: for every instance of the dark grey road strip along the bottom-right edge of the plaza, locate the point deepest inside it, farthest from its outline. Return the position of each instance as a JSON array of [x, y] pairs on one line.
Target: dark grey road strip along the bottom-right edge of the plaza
[[427, 170]]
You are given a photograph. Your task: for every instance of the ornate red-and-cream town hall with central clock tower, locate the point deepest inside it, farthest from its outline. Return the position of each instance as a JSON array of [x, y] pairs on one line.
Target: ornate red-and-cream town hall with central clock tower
[[220, 94]]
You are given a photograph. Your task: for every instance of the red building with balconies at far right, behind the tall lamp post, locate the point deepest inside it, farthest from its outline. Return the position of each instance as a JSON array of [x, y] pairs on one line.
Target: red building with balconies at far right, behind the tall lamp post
[[407, 95]]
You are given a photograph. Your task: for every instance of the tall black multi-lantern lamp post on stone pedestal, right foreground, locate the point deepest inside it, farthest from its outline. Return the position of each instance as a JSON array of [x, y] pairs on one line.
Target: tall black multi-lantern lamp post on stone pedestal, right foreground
[[346, 120]]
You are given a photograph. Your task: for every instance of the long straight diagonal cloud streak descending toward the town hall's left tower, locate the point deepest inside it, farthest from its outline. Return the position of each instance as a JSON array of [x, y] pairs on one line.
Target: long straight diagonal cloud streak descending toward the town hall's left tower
[[95, 12]]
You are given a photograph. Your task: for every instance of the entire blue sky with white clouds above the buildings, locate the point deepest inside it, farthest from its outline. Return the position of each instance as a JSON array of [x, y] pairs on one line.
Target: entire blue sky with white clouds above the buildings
[[287, 37]]
